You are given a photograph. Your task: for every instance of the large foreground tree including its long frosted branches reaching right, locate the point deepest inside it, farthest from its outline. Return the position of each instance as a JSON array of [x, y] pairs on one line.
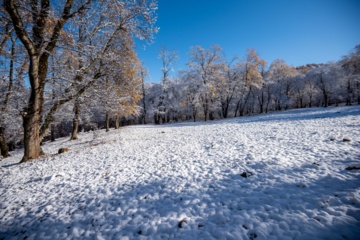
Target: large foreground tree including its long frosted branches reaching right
[[39, 25]]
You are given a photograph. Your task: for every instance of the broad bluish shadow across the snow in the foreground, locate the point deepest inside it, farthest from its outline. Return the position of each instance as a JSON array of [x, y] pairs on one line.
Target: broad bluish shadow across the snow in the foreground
[[224, 206]]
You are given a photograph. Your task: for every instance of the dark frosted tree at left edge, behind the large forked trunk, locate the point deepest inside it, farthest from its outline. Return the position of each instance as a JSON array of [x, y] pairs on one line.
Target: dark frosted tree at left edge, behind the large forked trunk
[[13, 65]]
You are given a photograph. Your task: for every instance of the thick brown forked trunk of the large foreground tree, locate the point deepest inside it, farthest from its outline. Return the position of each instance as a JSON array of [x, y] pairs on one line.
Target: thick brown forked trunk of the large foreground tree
[[30, 20]]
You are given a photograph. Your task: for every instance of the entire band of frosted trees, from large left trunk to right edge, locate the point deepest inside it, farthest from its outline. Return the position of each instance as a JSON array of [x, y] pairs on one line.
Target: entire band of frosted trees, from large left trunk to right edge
[[72, 66]]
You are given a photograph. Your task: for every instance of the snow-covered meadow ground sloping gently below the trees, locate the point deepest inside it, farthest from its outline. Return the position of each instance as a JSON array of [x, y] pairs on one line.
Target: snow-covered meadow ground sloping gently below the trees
[[186, 181]]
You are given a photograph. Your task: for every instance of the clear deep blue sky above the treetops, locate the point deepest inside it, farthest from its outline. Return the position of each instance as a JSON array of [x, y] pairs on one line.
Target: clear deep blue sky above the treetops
[[298, 31]]
